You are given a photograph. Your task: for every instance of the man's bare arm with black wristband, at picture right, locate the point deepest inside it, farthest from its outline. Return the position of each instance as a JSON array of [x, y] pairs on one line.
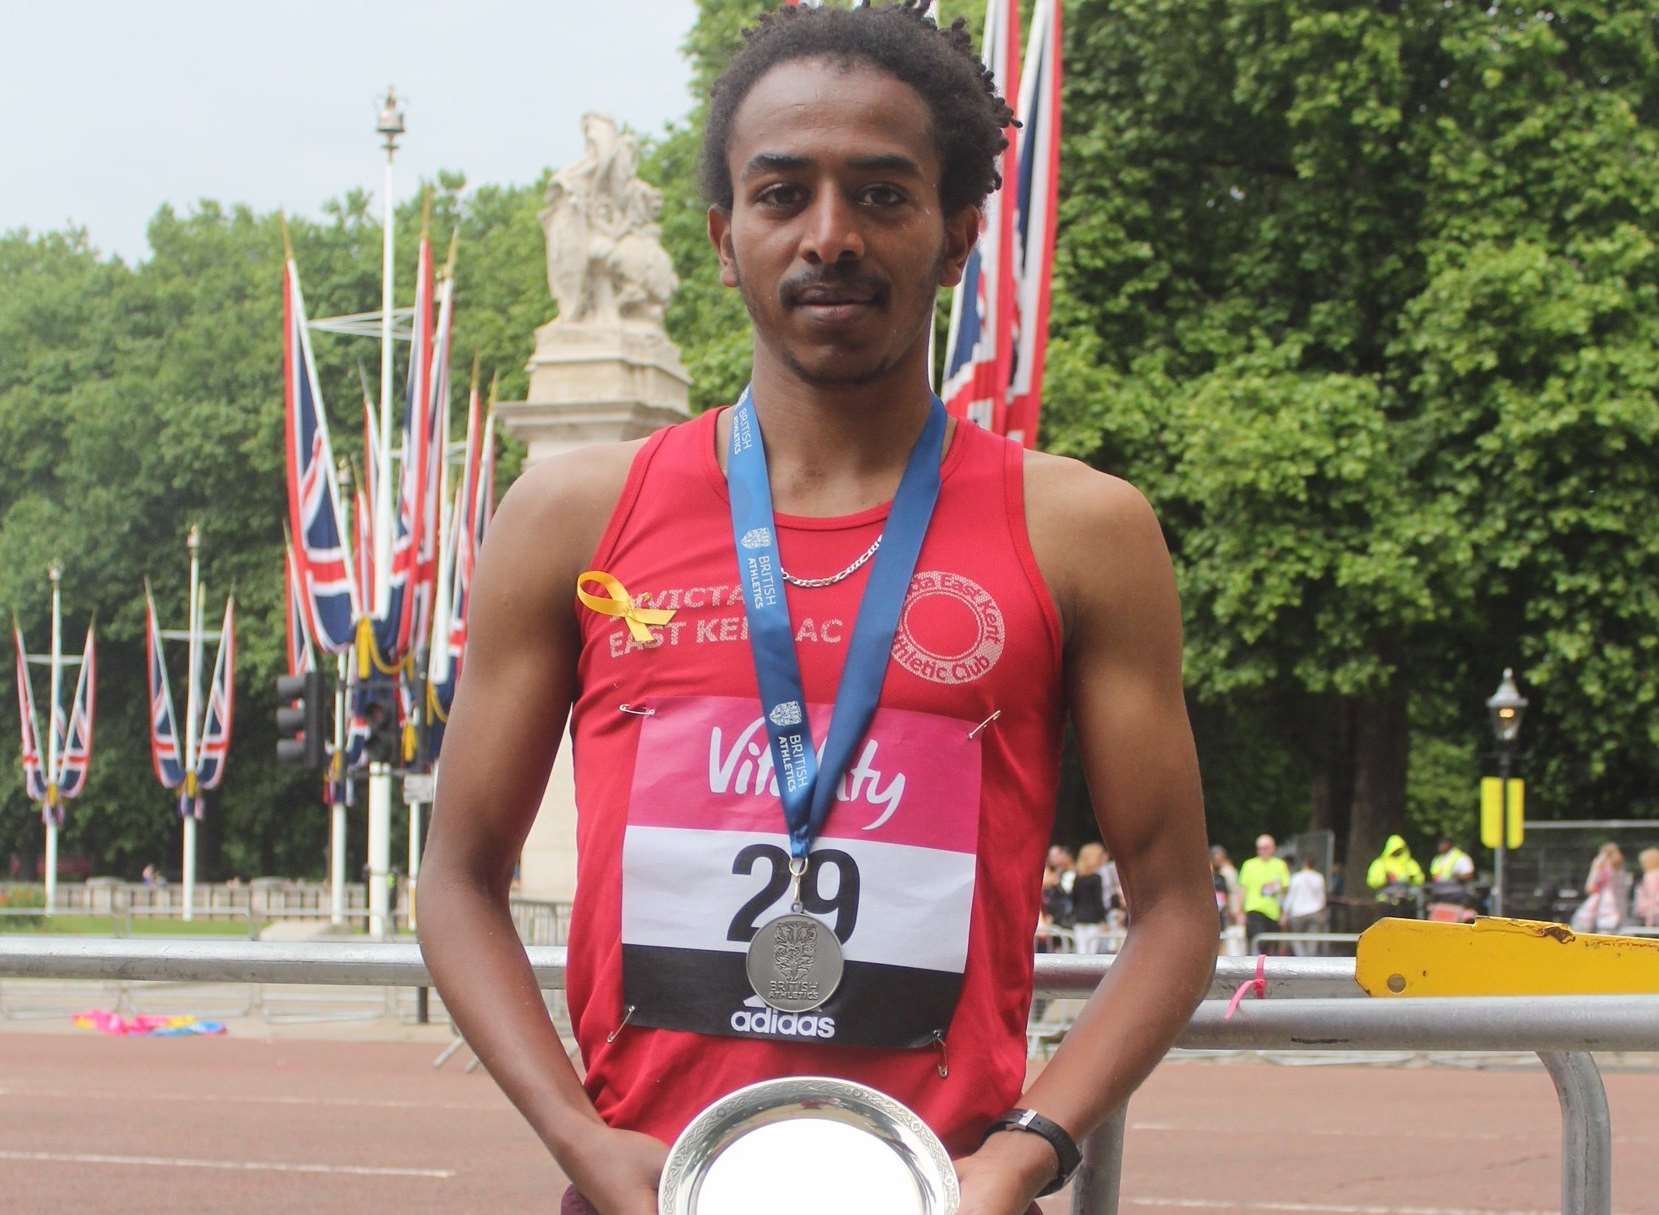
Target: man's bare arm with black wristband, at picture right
[[1124, 686]]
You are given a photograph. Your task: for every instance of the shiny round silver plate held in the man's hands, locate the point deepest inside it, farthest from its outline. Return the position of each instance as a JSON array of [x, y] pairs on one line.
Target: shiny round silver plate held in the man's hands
[[809, 1146]]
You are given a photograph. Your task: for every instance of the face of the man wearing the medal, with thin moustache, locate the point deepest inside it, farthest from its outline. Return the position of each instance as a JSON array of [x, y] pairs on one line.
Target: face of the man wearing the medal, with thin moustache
[[835, 233]]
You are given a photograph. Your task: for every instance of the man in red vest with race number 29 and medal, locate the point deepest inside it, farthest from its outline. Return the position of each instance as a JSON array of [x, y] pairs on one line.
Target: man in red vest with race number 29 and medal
[[847, 155]]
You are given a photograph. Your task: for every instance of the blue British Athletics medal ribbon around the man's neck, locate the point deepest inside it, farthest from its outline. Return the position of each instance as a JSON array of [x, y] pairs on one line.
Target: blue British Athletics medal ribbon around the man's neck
[[805, 783]]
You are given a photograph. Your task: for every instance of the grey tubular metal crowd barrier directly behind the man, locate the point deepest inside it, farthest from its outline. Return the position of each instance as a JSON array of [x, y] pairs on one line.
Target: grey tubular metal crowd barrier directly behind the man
[[1326, 1012]]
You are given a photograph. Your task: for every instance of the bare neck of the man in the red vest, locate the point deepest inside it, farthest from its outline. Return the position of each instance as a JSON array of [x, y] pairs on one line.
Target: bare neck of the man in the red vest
[[837, 449]]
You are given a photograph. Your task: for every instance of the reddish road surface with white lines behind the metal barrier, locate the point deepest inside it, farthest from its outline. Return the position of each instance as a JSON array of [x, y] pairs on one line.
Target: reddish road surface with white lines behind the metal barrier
[[281, 1125]]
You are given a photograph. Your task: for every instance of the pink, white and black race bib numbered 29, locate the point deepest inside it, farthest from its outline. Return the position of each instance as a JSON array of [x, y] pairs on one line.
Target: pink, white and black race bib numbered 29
[[706, 864]]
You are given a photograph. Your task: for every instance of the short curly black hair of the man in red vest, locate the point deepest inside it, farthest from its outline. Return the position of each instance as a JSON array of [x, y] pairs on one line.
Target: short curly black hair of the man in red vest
[[900, 39]]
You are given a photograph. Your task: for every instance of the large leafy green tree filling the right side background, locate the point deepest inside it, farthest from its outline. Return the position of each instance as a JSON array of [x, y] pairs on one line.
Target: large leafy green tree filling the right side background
[[1361, 298]]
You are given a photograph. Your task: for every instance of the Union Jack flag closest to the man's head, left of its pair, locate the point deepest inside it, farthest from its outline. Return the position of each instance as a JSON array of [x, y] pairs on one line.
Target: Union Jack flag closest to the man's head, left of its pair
[[980, 349]]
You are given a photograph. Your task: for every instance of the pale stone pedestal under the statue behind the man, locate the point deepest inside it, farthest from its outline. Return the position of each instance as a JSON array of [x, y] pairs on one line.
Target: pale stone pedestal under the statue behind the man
[[588, 384]]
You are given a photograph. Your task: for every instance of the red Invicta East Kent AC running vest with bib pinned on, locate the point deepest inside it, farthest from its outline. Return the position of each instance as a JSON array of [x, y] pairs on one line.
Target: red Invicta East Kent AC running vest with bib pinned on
[[930, 864]]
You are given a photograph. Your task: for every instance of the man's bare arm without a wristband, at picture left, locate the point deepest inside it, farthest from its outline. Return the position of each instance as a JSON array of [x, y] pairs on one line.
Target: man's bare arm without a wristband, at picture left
[[508, 718]]
